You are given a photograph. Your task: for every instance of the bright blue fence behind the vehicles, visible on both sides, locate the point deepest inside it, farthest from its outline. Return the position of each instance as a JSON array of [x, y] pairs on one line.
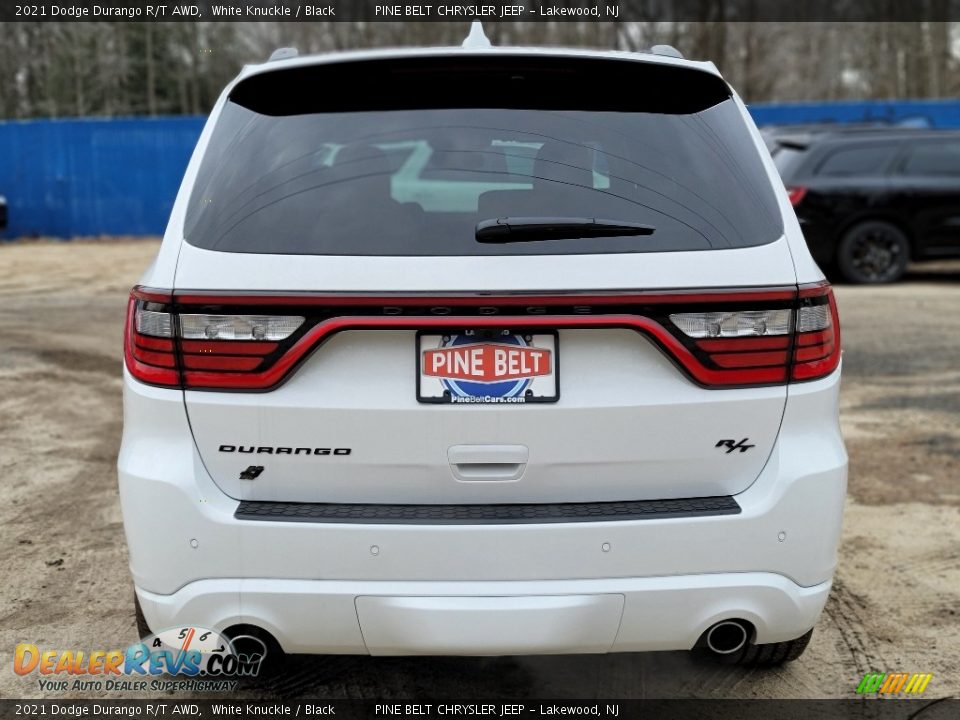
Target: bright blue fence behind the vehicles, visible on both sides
[[66, 178]]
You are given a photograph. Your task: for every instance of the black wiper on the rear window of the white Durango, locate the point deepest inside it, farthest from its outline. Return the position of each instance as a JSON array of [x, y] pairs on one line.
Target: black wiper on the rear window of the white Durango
[[526, 229]]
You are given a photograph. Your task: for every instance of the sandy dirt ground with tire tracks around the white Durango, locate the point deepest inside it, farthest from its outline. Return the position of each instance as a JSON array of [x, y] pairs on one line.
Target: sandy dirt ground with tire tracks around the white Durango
[[64, 567]]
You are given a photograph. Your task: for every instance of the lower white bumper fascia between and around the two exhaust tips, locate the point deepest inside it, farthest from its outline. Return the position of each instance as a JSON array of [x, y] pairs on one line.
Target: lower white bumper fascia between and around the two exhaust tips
[[493, 618]]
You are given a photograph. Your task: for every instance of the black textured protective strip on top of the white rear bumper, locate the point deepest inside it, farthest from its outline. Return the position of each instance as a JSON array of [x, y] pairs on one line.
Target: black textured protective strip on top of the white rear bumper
[[504, 514]]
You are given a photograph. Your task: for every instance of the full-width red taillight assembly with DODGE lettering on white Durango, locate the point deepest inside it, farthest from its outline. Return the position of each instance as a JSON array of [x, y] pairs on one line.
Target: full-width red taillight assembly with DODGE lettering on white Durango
[[718, 339]]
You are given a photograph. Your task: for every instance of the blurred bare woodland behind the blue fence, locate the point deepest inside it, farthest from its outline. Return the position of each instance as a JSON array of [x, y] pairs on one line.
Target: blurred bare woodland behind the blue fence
[[110, 69]]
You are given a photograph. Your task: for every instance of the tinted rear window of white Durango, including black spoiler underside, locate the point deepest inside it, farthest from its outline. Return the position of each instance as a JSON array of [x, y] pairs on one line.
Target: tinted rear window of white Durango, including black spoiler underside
[[406, 158]]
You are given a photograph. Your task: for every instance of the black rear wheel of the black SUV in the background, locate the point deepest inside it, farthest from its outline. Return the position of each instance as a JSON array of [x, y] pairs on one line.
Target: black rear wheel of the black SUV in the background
[[873, 252]]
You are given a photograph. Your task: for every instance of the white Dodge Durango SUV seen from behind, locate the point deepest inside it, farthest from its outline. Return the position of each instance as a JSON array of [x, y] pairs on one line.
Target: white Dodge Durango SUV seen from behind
[[479, 351]]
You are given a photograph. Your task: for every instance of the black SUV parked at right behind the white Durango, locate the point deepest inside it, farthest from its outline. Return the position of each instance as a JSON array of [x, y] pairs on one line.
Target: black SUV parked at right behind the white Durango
[[870, 203]]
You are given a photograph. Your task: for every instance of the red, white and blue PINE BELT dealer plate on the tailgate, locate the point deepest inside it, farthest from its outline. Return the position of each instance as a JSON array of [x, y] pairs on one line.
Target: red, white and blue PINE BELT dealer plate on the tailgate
[[506, 366]]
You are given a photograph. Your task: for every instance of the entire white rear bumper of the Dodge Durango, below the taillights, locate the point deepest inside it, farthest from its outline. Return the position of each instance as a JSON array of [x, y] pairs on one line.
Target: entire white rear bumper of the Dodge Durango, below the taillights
[[193, 561]]
